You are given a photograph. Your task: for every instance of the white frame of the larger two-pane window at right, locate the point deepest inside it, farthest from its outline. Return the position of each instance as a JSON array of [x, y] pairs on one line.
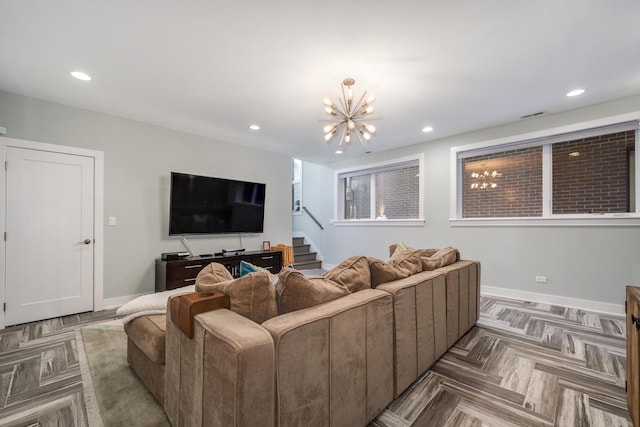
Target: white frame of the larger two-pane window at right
[[545, 138]]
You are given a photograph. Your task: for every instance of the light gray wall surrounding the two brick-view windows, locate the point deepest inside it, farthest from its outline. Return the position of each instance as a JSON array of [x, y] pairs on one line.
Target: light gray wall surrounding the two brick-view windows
[[591, 263]]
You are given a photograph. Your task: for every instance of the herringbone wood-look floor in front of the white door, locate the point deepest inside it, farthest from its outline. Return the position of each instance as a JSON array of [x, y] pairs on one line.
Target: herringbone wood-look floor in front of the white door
[[40, 382]]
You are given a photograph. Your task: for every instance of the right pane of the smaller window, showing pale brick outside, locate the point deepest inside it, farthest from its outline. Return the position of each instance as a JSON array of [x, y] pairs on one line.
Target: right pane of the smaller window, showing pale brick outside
[[397, 193]]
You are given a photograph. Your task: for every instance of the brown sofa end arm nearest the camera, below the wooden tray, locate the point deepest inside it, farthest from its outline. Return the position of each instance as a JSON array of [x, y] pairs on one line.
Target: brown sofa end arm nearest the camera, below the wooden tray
[[228, 364]]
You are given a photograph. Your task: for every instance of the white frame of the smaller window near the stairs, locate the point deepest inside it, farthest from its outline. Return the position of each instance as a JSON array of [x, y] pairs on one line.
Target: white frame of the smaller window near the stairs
[[338, 198]]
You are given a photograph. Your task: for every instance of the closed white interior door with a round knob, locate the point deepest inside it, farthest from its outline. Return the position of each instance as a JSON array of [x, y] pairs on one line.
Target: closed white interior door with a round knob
[[50, 235]]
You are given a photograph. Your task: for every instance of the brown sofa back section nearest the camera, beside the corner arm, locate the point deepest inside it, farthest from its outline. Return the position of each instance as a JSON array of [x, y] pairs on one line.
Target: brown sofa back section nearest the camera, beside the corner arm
[[335, 360]]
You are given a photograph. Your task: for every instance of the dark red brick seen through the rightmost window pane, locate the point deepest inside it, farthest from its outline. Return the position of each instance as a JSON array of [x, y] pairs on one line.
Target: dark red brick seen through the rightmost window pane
[[595, 179]]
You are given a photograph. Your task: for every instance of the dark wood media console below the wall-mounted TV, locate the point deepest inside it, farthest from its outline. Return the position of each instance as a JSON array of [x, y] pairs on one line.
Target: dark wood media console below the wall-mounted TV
[[178, 273]]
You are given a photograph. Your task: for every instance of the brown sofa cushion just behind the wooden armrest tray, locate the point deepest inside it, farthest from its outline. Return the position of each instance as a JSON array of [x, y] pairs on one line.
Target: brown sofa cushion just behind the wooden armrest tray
[[252, 296]]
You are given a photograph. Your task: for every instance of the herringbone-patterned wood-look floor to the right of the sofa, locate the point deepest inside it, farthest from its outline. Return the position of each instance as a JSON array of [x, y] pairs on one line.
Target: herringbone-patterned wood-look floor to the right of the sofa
[[524, 364]]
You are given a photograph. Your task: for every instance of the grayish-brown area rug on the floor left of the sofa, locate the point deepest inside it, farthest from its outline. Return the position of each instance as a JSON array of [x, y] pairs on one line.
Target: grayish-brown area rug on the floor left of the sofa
[[114, 395]]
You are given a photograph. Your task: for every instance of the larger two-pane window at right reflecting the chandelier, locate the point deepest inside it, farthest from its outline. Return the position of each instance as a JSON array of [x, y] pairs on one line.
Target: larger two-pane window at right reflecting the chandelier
[[561, 175]]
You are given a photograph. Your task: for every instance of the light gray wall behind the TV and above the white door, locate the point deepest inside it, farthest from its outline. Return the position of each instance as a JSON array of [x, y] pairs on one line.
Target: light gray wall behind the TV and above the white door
[[138, 162]]
